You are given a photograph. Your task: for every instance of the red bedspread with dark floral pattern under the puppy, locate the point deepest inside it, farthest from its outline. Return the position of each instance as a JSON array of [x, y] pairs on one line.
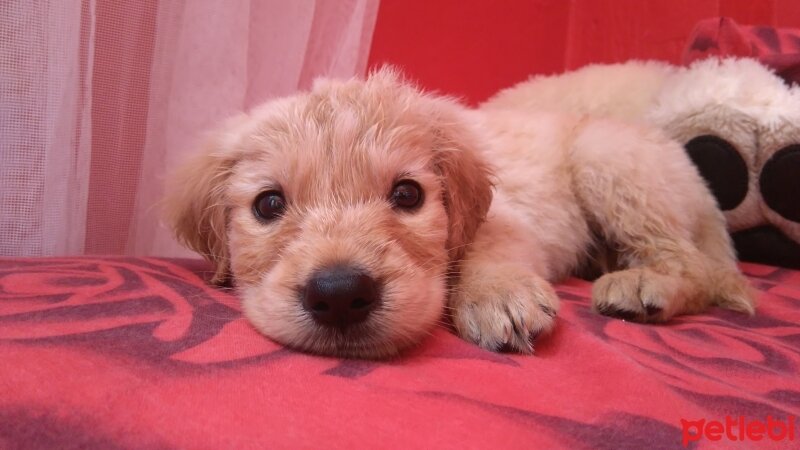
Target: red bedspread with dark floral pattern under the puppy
[[121, 353]]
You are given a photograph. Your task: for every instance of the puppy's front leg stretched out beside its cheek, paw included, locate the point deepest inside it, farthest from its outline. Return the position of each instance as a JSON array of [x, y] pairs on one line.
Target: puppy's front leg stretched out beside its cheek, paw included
[[500, 302]]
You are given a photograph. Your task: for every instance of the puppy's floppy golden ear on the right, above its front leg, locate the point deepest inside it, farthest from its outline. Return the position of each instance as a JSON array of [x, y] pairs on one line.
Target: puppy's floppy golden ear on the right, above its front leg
[[466, 175]]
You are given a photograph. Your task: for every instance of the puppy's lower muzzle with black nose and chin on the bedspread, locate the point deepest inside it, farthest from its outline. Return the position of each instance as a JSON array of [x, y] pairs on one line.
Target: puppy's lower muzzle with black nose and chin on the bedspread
[[346, 311]]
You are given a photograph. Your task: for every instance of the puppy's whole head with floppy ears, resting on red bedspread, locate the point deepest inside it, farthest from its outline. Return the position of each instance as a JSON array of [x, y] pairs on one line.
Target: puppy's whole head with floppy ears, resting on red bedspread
[[339, 213]]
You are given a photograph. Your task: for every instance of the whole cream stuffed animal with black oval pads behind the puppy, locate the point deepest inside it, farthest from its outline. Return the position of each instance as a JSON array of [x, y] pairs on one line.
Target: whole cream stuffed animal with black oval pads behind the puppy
[[739, 123]]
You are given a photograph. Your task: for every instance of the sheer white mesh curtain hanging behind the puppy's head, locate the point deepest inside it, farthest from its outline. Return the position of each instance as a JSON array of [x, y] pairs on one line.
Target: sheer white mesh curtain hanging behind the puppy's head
[[99, 98]]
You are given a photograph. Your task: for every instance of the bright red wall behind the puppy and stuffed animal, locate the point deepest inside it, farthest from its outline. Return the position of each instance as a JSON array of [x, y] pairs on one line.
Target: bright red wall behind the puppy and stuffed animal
[[471, 48]]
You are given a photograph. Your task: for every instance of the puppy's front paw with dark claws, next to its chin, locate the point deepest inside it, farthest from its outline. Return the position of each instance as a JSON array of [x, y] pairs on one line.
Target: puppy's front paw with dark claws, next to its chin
[[508, 319]]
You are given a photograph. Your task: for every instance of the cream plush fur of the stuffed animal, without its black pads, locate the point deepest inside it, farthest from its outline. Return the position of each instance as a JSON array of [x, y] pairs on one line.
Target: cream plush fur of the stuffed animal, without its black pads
[[738, 100]]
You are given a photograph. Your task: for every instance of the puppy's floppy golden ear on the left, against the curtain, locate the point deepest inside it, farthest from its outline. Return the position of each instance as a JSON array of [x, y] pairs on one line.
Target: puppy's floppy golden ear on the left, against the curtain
[[195, 205]]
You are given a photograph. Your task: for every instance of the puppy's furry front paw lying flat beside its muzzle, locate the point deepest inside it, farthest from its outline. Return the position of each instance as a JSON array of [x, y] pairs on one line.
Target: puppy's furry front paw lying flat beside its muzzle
[[503, 309]]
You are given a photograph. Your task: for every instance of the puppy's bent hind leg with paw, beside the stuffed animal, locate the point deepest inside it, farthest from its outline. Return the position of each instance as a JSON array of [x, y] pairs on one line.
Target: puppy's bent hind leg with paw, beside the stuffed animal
[[647, 199]]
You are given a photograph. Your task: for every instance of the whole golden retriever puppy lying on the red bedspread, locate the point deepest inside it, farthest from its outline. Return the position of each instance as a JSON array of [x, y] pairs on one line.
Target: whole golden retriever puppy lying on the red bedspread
[[351, 217]]
